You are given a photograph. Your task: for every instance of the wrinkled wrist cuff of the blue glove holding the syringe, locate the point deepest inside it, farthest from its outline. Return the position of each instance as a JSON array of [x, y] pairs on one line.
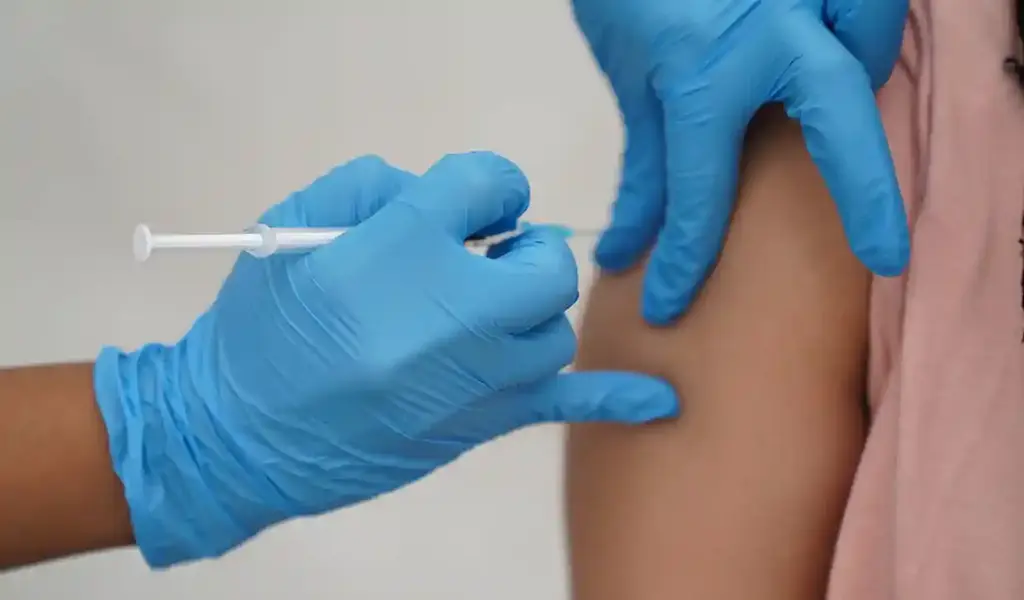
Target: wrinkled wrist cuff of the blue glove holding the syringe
[[176, 516]]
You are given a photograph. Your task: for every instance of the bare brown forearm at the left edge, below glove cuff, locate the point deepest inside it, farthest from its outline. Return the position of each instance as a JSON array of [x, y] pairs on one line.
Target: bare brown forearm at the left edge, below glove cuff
[[59, 493]]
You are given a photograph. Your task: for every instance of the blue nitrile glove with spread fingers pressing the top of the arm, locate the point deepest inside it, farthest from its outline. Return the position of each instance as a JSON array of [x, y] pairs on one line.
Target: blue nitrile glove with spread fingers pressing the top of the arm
[[691, 74]]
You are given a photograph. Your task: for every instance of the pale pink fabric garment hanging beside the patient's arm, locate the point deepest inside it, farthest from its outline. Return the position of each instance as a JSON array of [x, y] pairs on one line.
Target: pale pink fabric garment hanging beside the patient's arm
[[937, 509]]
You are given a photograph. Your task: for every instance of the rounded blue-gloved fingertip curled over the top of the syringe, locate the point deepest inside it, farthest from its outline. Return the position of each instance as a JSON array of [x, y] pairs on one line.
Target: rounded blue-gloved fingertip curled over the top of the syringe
[[466, 194]]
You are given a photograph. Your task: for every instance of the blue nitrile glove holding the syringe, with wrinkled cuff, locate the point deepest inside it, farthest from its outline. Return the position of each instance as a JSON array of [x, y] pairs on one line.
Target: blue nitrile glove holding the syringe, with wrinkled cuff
[[318, 381]]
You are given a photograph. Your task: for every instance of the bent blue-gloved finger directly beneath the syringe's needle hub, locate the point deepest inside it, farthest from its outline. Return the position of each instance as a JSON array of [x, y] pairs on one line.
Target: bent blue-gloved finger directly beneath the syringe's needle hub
[[532, 279]]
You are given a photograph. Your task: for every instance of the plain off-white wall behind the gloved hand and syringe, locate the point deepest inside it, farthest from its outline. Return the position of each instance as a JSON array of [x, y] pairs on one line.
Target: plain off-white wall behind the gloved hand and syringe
[[197, 115]]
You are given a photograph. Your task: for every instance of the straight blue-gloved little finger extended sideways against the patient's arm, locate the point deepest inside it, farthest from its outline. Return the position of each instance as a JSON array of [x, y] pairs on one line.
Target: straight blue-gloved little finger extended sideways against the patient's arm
[[600, 397]]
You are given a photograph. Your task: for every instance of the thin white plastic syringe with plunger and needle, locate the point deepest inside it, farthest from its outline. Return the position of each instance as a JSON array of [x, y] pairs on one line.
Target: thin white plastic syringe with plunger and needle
[[263, 241]]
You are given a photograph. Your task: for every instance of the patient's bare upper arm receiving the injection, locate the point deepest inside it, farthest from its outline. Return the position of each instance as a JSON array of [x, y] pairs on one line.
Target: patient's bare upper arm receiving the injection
[[742, 497]]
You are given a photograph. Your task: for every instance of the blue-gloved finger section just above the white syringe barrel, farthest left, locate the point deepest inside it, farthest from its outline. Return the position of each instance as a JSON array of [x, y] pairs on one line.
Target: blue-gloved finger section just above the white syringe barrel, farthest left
[[345, 197]]
